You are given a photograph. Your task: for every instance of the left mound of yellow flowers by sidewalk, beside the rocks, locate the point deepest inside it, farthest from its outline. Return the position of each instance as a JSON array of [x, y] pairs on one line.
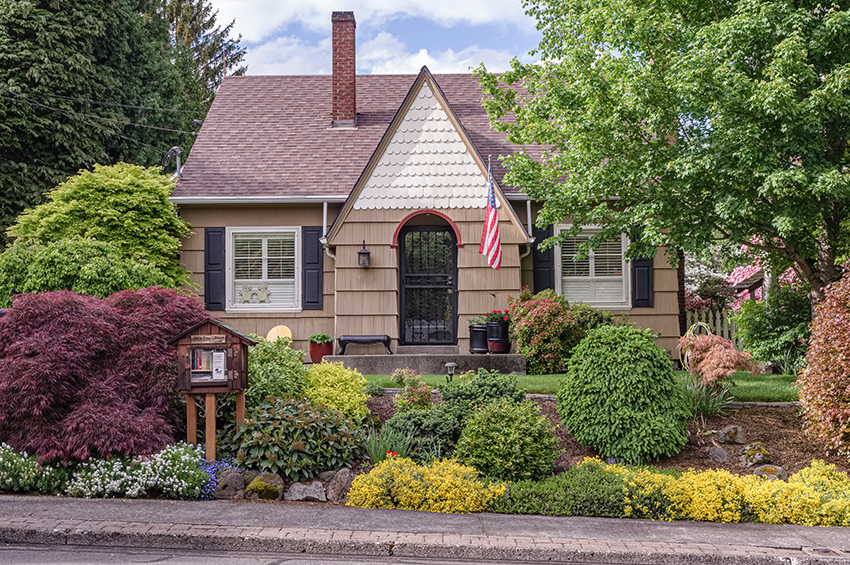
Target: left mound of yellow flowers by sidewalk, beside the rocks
[[442, 486]]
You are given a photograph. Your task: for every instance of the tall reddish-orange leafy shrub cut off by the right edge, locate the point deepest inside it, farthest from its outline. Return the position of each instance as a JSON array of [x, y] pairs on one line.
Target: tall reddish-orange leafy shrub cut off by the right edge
[[825, 382]]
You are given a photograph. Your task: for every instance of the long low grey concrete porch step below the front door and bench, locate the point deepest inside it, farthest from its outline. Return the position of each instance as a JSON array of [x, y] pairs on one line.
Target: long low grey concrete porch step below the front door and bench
[[431, 363]]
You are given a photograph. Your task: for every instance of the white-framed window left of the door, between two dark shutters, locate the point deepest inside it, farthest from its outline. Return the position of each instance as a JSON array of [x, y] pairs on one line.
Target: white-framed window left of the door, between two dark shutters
[[262, 269]]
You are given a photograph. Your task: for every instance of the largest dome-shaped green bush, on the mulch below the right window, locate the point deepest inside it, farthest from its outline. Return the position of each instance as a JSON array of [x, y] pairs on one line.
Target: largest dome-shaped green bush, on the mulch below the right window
[[620, 397]]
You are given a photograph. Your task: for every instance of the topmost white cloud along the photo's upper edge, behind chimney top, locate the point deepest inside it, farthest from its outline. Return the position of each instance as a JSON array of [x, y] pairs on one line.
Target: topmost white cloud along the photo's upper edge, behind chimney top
[[258, 20]]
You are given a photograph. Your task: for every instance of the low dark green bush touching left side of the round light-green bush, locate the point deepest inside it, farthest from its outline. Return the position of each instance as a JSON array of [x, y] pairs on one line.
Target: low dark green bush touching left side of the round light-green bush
[[434, 431]]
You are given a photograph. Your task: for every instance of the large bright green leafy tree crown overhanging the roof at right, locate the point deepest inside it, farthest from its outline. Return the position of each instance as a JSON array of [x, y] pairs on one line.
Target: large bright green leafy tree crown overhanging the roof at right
[[708, 120]]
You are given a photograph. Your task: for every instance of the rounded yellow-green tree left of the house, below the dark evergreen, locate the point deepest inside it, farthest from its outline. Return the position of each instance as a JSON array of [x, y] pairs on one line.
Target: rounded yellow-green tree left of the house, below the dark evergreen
[[126, 205]]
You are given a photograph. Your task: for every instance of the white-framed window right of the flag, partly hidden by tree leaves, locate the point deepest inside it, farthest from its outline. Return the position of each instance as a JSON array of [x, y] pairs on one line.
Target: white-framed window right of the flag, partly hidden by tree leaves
[[601, 278]]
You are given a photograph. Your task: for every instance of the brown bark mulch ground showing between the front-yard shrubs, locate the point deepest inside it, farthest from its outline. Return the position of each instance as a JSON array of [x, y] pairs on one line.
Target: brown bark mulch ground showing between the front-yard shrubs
[[779, 428]]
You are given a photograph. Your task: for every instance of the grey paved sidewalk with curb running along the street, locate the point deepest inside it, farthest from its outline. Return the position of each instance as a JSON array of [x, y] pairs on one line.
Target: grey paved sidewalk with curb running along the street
[[316, 529]]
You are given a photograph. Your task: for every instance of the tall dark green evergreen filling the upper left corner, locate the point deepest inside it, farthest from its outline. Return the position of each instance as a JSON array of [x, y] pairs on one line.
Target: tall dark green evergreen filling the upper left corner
[[85, 82]]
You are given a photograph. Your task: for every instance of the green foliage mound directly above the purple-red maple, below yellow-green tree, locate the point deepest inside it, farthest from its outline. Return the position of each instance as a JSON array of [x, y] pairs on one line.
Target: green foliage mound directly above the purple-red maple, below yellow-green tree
[[85, 266]]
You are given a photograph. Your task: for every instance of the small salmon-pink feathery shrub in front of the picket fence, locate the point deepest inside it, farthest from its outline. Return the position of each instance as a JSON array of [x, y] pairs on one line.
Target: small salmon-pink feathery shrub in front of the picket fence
[[714, 359]]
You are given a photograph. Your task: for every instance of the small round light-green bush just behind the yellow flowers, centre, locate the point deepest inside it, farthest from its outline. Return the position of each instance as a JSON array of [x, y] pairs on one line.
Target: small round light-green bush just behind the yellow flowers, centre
[[510, 441]]
